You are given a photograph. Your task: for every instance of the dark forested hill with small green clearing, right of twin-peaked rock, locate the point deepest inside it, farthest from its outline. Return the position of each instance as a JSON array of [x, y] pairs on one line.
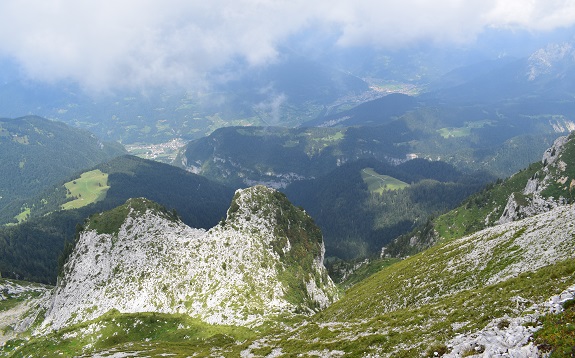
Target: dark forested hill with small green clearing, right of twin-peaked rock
[[357, 221]]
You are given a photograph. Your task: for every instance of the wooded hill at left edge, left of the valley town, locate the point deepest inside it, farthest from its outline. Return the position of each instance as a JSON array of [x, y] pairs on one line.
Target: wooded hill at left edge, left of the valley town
[[37, 153]]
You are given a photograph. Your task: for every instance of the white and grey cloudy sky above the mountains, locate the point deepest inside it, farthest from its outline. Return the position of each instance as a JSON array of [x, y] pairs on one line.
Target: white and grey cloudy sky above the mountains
[[136, 43]]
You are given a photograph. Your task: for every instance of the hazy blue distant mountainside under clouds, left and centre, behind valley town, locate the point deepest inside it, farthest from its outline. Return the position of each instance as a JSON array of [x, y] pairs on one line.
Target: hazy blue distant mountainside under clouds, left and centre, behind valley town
[[288, 92]]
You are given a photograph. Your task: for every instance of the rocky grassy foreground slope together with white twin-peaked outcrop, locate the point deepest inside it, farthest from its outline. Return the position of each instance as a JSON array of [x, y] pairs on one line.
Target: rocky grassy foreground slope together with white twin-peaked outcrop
[[494, 292]]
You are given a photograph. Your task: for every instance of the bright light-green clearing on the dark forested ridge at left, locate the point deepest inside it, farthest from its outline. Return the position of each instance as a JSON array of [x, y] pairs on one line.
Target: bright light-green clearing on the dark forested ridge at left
[[89, 188]]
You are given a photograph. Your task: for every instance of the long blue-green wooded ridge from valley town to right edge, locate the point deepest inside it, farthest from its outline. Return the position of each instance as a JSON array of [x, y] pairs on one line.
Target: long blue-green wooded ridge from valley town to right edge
[[498, 140]]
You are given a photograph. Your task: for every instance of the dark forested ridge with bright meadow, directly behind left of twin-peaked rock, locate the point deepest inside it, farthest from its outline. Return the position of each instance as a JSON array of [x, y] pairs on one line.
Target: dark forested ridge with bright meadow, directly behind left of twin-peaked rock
[[111, 183]]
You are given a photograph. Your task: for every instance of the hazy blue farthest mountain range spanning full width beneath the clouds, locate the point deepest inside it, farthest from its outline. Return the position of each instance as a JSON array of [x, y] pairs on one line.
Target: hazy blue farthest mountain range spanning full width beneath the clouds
[[297, 90]]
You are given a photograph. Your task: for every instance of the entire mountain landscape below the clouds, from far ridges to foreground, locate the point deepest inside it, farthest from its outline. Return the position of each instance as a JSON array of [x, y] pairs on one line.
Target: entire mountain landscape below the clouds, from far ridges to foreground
[[398, 225]]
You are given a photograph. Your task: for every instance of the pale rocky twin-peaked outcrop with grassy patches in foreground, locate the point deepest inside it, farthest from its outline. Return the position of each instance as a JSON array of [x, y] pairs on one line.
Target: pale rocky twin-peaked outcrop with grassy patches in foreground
[[265, 258]]
